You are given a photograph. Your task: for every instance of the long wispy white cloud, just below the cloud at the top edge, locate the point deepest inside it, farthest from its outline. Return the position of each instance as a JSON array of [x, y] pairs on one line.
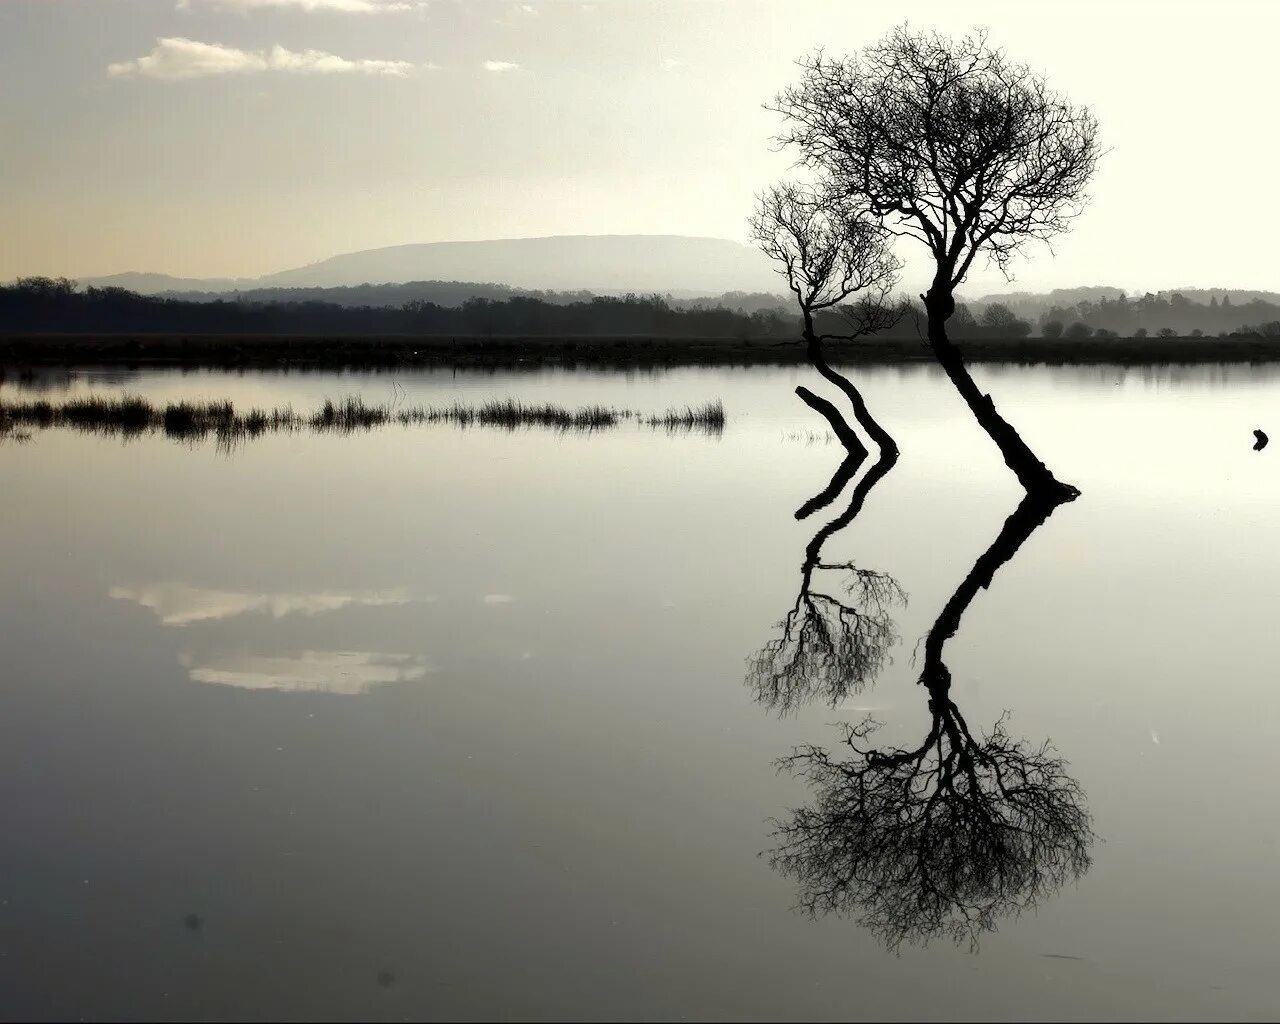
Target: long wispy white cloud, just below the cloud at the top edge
[[177, 58]]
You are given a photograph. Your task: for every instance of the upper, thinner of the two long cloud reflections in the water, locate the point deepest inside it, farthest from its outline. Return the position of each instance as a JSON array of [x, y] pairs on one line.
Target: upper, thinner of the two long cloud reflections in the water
[[179, 605]]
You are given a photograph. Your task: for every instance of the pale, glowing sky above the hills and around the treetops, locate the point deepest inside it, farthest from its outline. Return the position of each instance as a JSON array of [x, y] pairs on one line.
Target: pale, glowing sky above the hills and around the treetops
[[240, 138]]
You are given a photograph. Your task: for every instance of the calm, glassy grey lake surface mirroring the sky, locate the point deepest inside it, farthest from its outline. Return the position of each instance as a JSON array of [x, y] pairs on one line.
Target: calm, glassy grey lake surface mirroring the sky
[[437, 723]]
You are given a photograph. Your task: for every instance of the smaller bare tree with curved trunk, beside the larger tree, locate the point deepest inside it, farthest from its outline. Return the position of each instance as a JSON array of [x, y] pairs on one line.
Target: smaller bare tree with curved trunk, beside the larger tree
[[830, 252]]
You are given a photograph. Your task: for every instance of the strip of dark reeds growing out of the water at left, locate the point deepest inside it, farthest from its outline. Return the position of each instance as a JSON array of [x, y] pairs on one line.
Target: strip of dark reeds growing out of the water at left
[[131, 417]]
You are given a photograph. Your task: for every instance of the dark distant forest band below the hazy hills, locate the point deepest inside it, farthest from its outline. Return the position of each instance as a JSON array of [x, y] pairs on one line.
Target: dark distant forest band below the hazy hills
[[45, 305]]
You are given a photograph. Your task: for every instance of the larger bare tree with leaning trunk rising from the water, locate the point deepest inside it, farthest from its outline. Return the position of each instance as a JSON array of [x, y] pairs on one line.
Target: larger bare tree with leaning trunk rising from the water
[[957, 147]]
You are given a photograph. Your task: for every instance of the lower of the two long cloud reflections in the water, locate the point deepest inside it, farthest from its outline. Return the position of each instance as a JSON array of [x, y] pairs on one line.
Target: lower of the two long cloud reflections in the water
[[312, 671]]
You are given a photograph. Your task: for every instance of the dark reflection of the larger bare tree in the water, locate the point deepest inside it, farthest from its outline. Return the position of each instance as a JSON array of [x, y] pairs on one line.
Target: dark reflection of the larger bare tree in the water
[[945, 839]]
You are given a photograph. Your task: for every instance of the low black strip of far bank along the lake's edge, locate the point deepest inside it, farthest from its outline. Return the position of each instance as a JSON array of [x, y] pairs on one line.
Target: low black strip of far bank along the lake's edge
[[237, 351]]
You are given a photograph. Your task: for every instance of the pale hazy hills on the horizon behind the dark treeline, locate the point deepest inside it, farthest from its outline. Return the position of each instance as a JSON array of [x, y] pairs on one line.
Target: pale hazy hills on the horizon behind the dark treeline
[[710, 272]]
